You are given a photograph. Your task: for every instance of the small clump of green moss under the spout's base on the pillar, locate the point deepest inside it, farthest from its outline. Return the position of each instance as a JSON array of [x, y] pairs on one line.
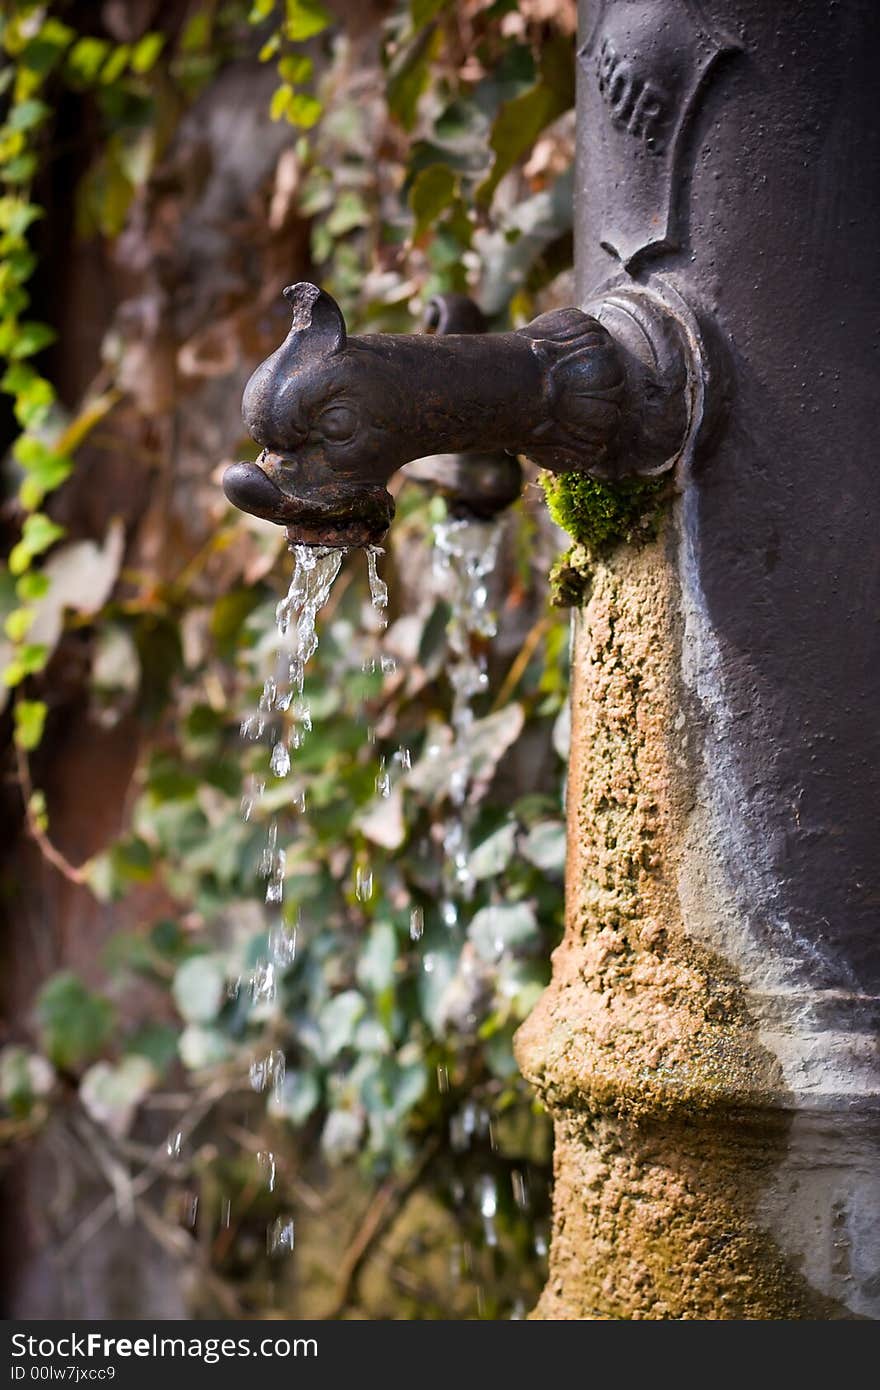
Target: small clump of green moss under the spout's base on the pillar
[[598, 516]]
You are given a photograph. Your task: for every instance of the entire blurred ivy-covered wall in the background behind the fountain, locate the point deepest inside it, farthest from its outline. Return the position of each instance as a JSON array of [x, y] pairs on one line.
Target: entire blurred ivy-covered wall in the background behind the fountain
[[168, 170]]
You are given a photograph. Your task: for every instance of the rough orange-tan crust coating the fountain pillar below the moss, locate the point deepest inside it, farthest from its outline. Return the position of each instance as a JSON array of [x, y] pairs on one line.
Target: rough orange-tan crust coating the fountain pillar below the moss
[[671, 1113]]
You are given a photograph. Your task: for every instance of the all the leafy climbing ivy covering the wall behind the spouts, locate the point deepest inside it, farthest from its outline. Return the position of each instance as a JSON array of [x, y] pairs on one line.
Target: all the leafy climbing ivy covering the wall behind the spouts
[[443, 166]]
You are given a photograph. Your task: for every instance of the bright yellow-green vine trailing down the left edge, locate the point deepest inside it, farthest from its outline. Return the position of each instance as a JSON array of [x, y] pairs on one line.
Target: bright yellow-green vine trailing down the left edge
[[41, 49]]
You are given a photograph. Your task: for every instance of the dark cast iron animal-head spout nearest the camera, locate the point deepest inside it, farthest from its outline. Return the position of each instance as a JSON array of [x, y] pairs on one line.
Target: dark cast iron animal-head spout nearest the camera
[[339, 416]]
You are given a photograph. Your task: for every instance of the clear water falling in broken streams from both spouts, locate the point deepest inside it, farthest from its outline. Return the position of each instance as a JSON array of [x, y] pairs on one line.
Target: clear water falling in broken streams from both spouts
[[465, 557]]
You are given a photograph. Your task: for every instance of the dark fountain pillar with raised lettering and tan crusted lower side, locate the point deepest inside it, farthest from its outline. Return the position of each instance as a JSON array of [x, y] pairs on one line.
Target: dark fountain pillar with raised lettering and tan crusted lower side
[[708, 1045]]
